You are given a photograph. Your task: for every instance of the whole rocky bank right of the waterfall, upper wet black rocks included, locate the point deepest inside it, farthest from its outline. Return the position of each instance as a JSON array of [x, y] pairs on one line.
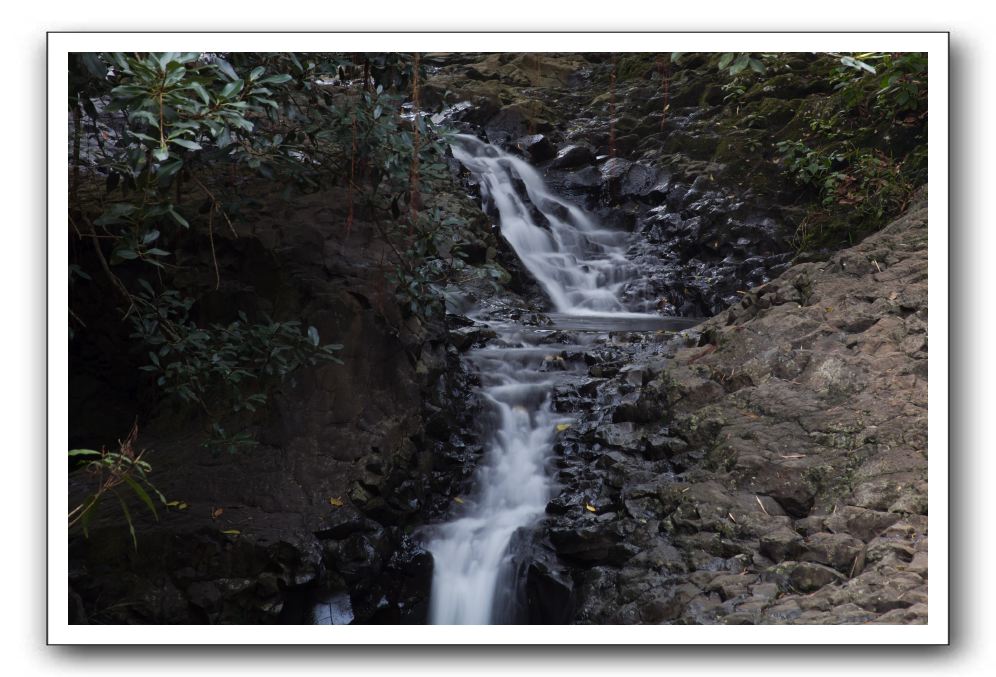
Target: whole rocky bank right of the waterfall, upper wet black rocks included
[[769, 467]]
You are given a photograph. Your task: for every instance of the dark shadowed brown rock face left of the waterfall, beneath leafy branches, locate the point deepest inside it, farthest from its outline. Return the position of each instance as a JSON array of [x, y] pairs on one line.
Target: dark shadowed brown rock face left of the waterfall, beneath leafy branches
[[350, 458]]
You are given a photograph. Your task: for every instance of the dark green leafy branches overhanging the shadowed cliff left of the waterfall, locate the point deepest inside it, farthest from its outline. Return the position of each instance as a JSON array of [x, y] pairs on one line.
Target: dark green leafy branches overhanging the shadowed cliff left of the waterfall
[[154, 140]]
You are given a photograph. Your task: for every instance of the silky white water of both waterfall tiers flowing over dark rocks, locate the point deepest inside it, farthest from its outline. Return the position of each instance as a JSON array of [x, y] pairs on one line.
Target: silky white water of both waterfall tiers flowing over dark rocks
[[582, 268]]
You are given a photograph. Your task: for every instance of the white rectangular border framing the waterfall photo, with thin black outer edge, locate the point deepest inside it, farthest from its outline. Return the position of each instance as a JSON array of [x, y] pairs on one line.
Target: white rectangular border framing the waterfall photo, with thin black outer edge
[[936, 631]]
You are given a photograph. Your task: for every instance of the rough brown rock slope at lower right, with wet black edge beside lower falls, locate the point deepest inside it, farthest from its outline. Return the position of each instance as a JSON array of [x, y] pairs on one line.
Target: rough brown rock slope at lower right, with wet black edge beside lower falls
[[769, 466]]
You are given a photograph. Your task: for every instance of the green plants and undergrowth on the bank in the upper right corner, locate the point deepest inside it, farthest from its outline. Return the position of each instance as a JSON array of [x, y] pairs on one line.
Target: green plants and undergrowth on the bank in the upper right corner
[[855, 141]]
